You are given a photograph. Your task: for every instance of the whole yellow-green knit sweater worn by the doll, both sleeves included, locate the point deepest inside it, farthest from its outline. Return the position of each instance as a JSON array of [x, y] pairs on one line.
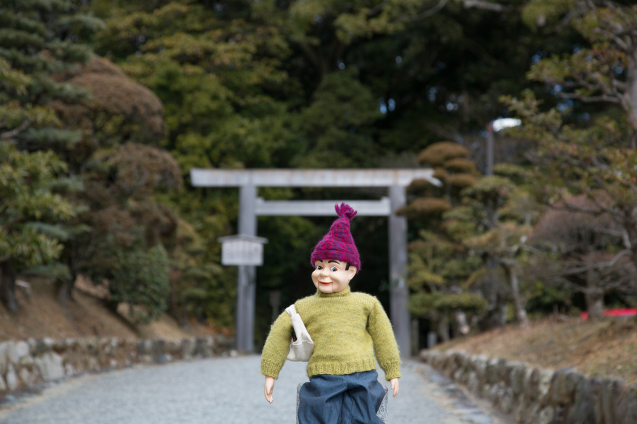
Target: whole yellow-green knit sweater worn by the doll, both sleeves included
[[347, 329]]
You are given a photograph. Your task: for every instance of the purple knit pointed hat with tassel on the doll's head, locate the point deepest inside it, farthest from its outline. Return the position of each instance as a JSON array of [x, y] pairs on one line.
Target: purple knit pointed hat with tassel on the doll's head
[[338, 242]]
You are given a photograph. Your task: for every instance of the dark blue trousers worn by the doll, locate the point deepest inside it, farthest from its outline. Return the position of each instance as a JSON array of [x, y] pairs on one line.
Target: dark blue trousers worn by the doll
[[341, 399]]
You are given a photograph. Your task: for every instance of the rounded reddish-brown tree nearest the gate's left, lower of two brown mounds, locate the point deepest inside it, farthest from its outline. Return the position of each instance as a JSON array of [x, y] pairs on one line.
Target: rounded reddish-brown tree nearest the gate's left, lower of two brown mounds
[[128, 226]]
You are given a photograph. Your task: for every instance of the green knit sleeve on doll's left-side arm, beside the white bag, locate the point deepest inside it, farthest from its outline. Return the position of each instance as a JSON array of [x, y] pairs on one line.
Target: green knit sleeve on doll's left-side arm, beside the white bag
[[277, 346]]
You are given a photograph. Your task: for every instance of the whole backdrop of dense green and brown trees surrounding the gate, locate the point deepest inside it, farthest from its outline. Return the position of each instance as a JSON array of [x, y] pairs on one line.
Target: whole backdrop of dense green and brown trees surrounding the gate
[[107, 105]]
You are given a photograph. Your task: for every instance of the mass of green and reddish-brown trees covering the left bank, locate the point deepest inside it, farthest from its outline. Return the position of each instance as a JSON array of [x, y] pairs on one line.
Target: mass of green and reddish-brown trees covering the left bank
[[78, 195]]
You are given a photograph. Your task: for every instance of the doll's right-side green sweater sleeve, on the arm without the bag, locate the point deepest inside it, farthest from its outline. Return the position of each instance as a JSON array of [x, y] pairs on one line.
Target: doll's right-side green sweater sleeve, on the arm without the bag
[[385, 345]]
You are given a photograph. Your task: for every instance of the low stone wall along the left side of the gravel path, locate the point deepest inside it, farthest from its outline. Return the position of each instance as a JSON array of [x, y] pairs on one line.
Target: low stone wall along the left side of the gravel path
[[27, 363]]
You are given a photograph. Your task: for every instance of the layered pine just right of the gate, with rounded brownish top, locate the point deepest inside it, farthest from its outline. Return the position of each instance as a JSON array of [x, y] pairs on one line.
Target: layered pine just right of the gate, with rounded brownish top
[[474, 228]]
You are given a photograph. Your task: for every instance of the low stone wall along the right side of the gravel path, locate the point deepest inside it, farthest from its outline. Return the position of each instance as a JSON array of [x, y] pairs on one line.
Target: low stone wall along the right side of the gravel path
[[539, 396]]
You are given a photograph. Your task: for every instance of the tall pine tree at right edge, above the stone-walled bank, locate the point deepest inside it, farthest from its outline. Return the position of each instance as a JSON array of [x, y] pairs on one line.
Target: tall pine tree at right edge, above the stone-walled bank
[[585, 147]]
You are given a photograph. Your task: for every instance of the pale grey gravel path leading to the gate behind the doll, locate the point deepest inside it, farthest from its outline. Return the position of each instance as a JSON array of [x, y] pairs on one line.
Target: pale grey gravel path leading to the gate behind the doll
[[222, 390]]
